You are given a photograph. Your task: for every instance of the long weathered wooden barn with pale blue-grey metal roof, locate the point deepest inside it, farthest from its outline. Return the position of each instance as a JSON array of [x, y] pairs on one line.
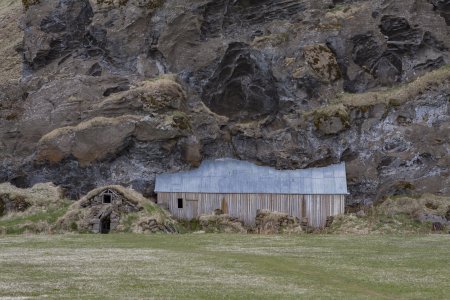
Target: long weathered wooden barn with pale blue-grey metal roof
[[240, 188]]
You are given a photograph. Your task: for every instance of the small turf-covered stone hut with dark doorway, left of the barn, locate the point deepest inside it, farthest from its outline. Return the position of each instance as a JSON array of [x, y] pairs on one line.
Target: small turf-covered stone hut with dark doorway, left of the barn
[[115, 208]]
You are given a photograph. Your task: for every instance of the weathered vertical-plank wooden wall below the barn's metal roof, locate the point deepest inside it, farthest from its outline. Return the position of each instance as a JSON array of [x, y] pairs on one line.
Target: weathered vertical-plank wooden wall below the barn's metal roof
[[244, 206]]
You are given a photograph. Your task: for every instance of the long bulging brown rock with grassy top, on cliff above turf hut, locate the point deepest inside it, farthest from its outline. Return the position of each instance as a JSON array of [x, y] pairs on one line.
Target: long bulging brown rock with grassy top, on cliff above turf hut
[[101, 137]]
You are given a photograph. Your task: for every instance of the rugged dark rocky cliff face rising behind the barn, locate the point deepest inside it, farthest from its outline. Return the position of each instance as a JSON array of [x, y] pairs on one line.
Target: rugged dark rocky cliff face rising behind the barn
[[116, 91]]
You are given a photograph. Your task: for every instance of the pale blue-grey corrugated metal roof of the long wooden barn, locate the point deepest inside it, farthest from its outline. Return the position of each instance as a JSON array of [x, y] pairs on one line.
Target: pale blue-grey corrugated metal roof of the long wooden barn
[[235, 176]]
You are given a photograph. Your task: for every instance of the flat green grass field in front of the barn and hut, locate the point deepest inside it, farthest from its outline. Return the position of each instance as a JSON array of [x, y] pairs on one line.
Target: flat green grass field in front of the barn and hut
[[203, 266]]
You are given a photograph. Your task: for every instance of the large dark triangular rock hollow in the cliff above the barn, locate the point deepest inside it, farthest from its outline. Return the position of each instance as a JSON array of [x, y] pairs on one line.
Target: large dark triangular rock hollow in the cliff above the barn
[[242, 86]]
